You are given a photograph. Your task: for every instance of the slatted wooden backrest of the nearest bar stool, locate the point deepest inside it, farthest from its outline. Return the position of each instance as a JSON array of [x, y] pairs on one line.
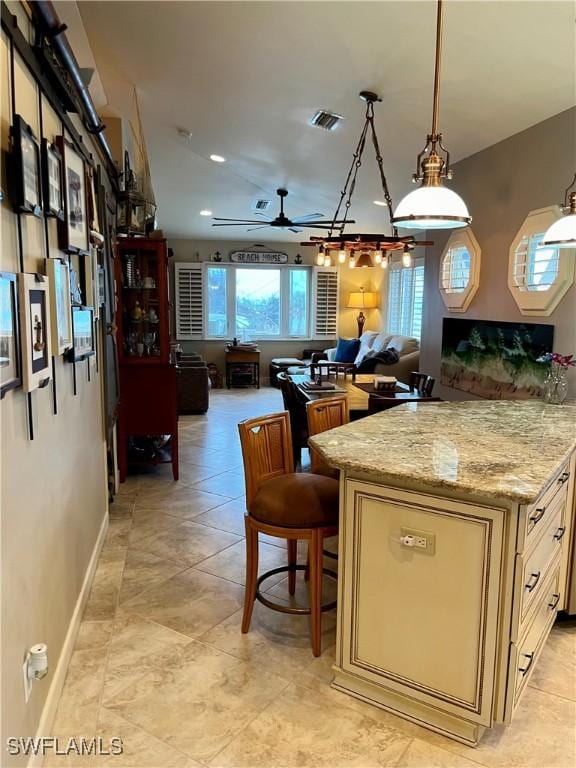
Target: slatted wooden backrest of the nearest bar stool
[[266, 450]]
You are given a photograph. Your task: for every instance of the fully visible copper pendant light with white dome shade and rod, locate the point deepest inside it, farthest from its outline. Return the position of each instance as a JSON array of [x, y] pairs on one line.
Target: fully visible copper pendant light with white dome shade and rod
[[433, 206]]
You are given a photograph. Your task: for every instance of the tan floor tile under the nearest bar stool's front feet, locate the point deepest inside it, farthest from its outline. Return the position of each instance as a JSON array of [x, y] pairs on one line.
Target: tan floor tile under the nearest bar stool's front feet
[[278, 642]]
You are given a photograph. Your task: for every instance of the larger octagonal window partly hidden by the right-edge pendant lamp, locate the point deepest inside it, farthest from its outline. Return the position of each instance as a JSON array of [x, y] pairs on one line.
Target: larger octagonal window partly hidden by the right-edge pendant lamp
[[539, 276]]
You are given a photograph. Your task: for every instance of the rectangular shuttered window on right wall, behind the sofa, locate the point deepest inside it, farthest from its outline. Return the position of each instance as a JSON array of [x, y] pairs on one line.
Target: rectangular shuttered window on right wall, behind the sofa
[[405, 299]]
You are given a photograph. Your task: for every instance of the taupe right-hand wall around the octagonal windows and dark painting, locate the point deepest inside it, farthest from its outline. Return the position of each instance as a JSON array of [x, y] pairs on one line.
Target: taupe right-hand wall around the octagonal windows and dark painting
[[501, 185]]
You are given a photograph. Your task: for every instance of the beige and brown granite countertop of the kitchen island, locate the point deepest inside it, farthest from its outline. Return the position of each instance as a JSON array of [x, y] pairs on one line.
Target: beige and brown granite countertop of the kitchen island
[[504, 449]]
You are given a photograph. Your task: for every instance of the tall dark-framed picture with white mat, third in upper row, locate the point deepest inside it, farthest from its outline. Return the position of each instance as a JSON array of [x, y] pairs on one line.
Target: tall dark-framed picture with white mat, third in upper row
[[73, 231]]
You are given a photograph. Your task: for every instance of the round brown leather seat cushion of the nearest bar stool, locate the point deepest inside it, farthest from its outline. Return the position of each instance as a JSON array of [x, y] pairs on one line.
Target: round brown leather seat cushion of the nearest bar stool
[[298, 500]]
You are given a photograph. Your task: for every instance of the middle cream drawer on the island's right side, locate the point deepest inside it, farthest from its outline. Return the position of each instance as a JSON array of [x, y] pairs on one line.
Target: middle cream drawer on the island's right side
[[533, 567]]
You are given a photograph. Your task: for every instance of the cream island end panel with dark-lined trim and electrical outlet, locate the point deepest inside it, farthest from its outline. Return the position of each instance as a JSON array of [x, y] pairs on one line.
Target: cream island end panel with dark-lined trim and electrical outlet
[[422, 622]]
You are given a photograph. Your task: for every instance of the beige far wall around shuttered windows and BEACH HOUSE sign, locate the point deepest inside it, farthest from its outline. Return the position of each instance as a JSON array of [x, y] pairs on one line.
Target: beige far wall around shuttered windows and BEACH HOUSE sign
[[350, 280]]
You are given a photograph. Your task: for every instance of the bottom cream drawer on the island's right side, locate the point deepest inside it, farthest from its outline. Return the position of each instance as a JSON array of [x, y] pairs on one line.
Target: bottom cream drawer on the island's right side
[[524, 654]]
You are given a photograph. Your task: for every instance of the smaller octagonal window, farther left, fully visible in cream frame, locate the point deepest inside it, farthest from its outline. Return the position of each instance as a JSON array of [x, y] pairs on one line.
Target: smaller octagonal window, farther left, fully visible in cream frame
[[460, 270]]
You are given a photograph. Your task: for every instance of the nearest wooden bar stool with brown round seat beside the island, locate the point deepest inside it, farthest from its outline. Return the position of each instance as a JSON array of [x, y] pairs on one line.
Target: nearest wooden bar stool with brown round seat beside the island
[[289, 505]]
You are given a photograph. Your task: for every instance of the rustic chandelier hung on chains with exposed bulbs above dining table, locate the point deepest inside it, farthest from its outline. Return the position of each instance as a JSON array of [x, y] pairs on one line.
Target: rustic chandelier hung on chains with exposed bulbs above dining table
[[362, 250]]
